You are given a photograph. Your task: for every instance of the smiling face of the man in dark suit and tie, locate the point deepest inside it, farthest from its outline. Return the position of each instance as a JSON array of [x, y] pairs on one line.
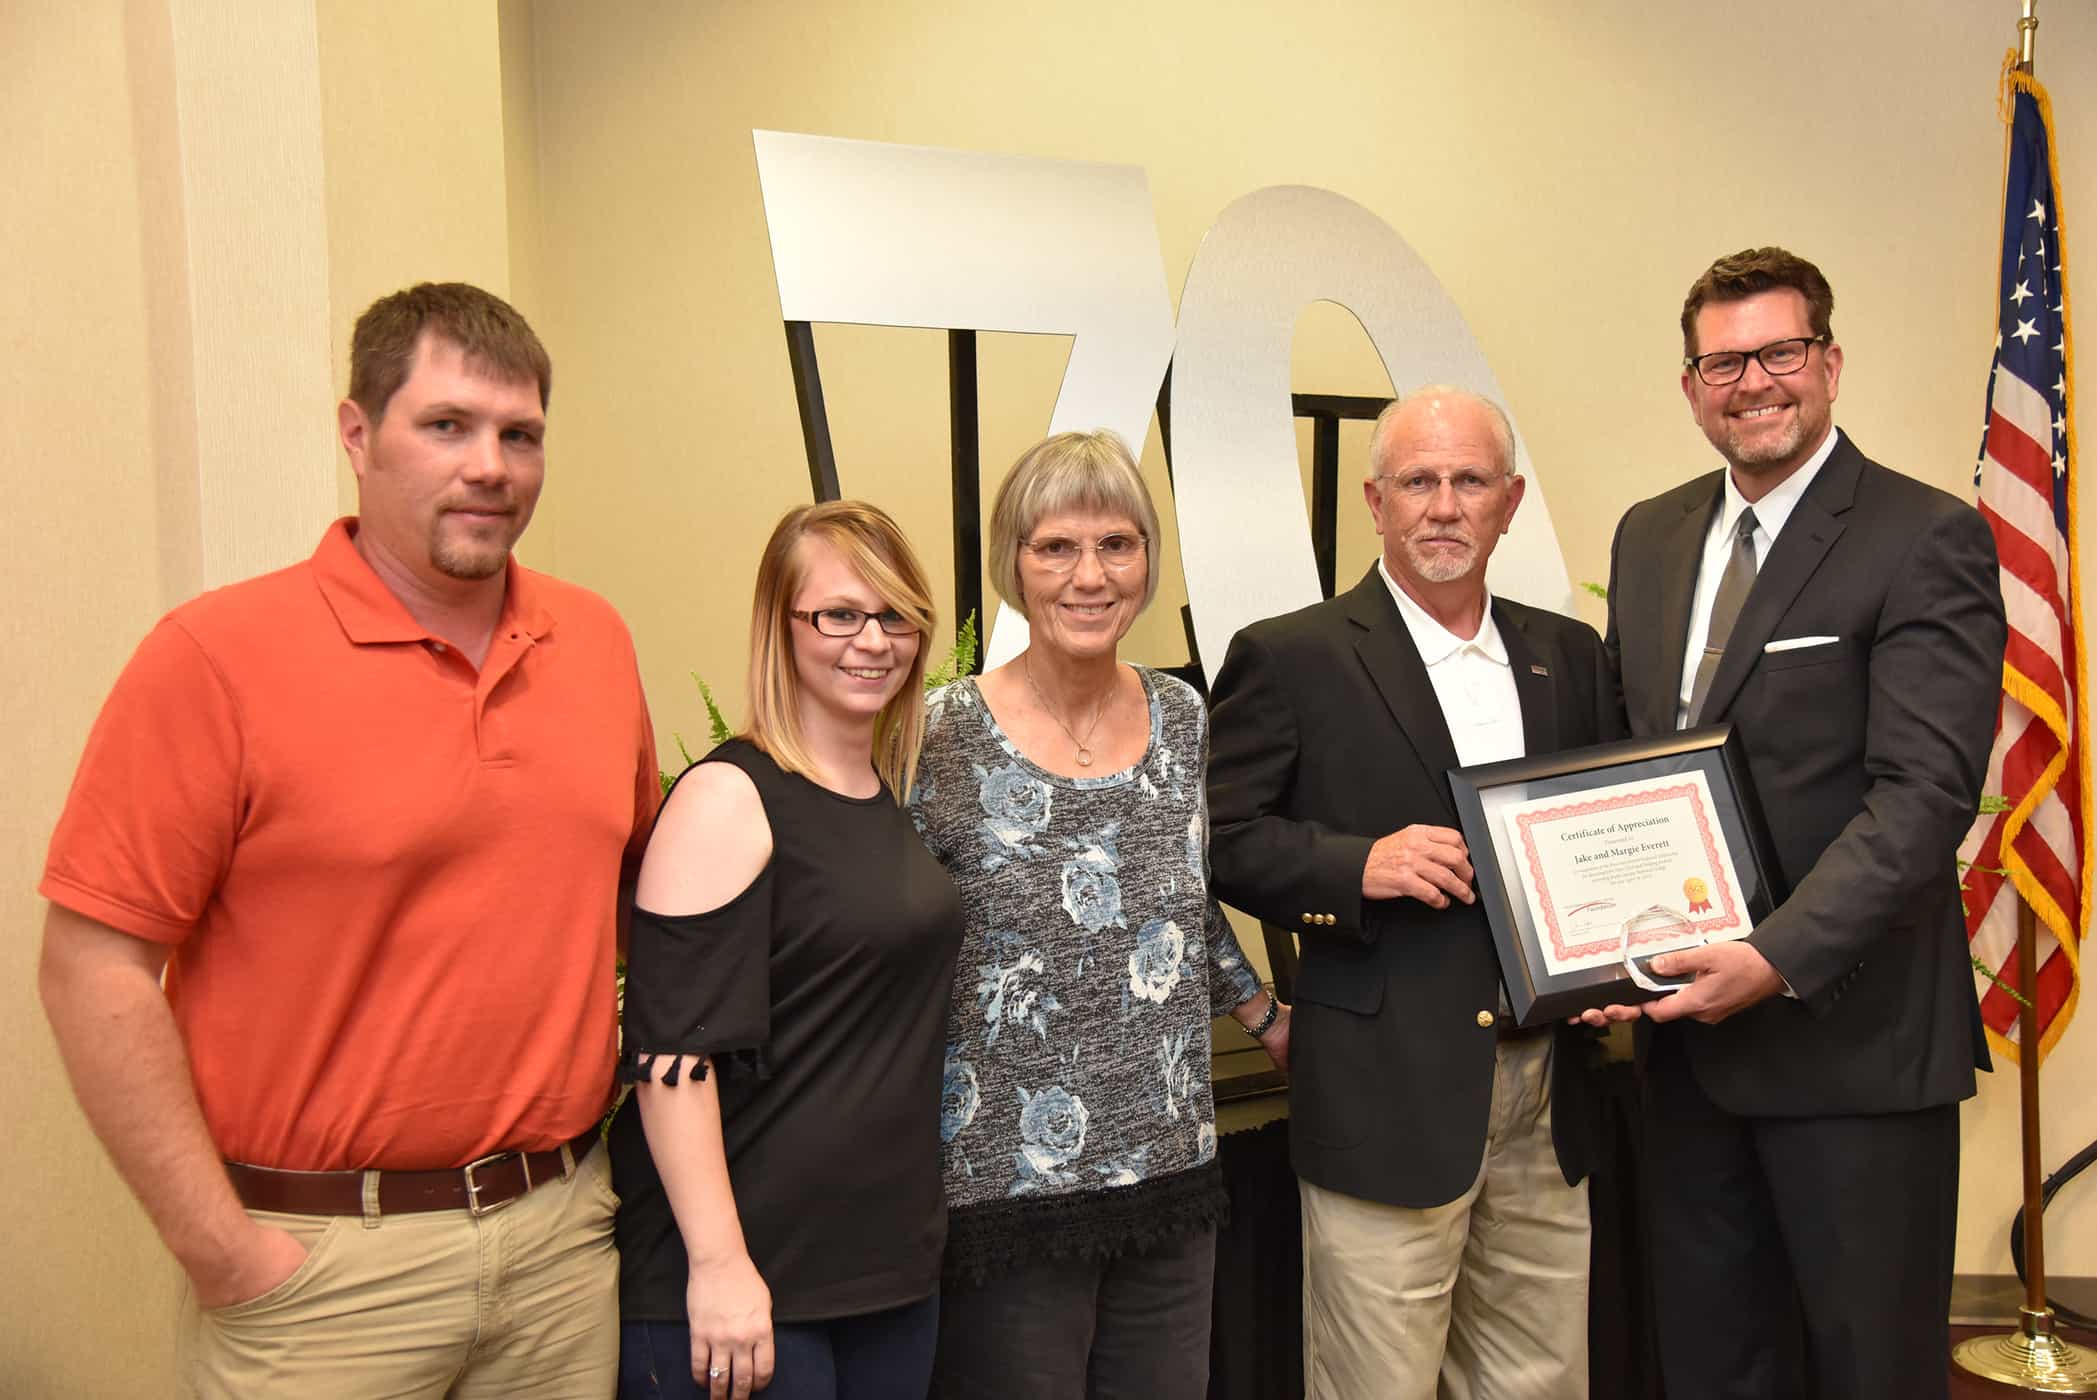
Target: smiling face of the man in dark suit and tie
[[1763, 424]]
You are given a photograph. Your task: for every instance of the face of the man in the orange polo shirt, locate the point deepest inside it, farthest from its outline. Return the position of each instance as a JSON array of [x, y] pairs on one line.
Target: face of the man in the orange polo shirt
[[450, 475]]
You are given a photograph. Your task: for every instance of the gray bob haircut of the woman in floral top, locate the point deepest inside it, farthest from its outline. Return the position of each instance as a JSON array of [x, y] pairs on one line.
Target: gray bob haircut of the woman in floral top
[[1071, 473]]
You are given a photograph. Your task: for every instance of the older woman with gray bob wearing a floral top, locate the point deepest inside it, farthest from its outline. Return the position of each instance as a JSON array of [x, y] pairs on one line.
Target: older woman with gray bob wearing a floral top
[[1064, 795]]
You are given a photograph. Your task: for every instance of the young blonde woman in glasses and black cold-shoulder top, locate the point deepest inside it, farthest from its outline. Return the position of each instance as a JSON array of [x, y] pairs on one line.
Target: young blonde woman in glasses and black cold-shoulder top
[[781, 1217]]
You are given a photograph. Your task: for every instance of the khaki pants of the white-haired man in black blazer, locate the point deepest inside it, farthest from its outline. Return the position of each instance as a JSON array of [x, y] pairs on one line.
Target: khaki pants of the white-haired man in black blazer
[[1484, 1298]]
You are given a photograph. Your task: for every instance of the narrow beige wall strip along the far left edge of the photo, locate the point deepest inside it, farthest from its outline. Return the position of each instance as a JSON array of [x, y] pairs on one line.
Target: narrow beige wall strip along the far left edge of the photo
[[83, 579]]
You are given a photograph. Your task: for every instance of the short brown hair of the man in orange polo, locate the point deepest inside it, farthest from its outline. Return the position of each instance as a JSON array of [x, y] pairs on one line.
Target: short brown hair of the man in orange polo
[[488, 330]]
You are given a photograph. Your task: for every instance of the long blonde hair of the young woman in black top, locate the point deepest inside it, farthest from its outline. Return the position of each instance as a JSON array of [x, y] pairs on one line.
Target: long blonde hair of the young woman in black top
[[875, 548]]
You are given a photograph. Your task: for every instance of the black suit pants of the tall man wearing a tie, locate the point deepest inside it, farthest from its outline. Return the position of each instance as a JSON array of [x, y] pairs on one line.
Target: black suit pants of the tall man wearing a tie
[[1798, 1256]]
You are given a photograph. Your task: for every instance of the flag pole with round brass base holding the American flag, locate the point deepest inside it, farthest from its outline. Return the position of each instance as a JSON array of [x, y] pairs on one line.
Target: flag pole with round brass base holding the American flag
[[2031, 1357]]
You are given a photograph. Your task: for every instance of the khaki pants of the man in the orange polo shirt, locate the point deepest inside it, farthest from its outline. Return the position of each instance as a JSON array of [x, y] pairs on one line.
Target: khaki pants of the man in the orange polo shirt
[[521, 1305]]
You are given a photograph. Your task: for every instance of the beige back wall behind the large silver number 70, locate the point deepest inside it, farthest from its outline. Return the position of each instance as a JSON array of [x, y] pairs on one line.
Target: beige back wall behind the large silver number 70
[[1565, 173]]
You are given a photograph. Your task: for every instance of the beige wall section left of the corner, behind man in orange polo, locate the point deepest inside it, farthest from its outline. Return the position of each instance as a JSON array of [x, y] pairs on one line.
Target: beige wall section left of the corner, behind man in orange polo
[[142, 173]]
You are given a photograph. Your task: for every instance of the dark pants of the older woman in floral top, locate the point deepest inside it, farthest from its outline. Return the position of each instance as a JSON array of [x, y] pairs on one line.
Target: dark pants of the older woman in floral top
[[1094, 1330]]
